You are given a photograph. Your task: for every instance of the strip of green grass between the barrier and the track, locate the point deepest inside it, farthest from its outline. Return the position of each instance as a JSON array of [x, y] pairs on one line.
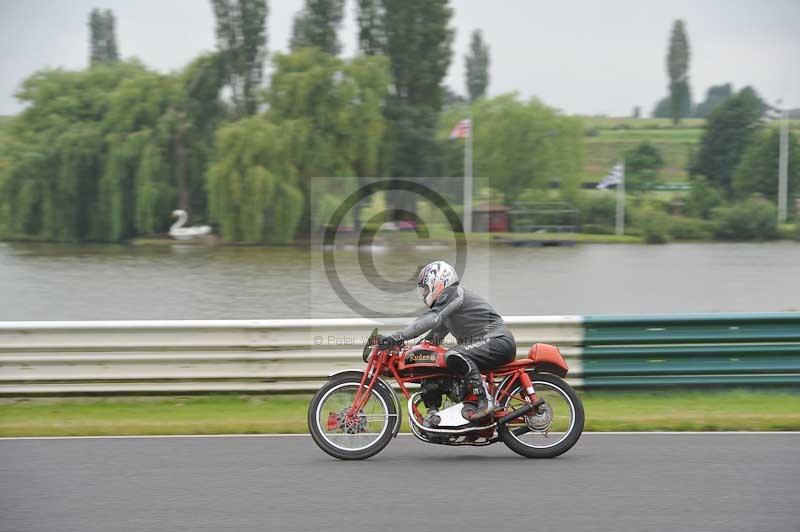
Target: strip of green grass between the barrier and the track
[[739, 410]]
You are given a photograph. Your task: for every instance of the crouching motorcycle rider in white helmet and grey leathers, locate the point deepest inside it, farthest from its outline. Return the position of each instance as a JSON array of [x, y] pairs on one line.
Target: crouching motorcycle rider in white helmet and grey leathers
[[484, 341]]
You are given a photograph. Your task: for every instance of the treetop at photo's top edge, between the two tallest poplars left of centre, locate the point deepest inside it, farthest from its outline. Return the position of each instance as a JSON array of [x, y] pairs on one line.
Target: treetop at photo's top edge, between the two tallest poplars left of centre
[[317, 24]]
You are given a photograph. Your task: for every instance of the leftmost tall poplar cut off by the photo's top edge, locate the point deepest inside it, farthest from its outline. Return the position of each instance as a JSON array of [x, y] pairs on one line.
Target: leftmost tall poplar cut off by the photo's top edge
[[242, 41]]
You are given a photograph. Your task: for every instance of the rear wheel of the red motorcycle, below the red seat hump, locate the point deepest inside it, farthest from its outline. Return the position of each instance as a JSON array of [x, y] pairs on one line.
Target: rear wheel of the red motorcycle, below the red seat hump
[[554, 429]]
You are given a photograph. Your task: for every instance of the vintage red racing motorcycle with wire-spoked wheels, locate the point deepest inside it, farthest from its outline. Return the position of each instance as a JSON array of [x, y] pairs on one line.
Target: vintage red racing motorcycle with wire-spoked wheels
[[356, 414]]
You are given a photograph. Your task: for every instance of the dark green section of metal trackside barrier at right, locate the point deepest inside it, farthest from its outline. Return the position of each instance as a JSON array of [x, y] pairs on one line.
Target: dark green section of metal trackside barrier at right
[[691, 350]]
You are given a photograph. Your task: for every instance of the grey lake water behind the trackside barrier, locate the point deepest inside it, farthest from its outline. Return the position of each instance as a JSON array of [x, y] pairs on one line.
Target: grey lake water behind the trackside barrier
[[88, 282]]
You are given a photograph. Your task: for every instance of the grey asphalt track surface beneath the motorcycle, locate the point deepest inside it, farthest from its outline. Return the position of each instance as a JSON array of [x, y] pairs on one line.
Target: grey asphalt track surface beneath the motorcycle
[[619, 482]]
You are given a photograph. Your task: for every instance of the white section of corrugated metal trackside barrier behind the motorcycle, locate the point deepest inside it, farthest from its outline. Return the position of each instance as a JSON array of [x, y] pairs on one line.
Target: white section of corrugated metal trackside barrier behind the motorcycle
[[186, 357]]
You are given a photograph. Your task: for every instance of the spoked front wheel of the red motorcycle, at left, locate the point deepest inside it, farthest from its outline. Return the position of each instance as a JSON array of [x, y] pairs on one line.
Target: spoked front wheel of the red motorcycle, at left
[[347, 436]]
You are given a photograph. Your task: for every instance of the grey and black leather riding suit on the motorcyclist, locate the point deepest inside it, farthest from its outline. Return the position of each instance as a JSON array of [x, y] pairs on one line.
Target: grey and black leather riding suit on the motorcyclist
[[483, 340]]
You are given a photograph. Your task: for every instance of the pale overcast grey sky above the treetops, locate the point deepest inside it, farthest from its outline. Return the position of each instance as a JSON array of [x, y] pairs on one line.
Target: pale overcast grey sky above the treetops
[[583, 57]]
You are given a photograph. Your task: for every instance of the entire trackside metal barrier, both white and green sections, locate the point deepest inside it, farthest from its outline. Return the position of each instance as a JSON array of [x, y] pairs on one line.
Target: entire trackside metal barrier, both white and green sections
[[272, 356]]
